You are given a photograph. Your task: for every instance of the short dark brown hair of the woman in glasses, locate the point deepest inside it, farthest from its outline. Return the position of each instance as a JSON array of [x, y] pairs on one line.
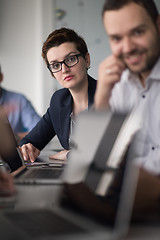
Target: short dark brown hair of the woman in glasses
[[60, 36]]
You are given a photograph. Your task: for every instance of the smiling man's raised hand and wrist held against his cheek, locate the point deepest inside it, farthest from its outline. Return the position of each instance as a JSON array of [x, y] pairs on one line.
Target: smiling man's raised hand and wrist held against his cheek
[[109, 74]]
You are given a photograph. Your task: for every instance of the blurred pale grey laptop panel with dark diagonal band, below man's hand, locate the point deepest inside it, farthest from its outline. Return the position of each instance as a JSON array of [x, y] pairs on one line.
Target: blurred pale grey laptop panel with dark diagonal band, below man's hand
[[107, 137]]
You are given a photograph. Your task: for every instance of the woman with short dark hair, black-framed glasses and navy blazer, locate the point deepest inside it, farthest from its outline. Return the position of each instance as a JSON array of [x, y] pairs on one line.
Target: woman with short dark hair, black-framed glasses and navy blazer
[[67, 58]]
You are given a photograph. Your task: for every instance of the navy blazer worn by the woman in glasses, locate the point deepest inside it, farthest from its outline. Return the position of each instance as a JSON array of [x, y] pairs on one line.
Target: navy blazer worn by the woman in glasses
[[56, 121]]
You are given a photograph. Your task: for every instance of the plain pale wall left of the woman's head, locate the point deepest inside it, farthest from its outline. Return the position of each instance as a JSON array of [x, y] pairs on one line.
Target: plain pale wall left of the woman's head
[[24, 25]]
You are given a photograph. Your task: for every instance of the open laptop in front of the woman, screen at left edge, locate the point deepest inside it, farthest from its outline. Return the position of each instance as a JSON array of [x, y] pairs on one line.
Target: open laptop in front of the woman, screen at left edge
[[42, 171]]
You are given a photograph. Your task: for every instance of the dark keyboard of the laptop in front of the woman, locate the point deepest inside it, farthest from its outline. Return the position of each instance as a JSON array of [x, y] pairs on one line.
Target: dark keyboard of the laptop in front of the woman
[[43, 173]]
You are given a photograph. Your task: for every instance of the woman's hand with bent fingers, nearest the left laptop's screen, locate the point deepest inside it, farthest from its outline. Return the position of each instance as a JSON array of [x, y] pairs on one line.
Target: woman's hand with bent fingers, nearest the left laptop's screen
[[29, 152]]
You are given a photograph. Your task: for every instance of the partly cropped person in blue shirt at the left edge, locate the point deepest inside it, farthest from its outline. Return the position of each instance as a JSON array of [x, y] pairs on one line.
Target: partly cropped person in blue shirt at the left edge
[[21, 114]]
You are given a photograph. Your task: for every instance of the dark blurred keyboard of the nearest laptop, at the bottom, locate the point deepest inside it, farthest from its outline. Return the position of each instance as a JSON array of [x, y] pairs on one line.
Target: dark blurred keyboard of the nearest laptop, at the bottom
[[42, 223]]
